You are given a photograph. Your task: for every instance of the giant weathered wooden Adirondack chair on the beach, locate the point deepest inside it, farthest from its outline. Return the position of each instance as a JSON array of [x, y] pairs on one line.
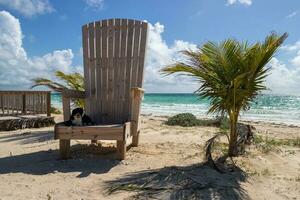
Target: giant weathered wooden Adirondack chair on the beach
[[113, 56]]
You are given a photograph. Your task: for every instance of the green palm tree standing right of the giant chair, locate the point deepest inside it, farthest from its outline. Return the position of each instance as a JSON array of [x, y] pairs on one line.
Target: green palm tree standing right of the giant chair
[[231, 75]]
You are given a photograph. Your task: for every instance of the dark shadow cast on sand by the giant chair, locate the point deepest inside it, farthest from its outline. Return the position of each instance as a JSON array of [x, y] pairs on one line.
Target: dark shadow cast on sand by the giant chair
[[45, 162]]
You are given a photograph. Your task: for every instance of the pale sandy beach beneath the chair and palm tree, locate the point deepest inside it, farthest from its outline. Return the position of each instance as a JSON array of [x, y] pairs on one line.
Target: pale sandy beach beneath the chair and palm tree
[[30, 168]]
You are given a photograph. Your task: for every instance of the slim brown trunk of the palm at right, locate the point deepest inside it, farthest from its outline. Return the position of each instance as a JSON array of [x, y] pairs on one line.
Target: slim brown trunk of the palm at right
[[232, 151]]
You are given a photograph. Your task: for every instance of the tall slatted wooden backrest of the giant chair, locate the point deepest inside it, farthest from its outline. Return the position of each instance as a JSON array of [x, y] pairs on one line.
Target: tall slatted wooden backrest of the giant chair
[[113, 56]]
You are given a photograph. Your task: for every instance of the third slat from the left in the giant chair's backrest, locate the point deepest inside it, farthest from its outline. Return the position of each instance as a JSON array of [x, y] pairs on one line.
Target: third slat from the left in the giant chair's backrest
[[98, 105]]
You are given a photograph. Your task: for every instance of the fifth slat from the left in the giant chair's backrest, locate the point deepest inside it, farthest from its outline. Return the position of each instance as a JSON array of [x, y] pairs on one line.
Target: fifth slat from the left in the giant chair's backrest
[[110, 79]]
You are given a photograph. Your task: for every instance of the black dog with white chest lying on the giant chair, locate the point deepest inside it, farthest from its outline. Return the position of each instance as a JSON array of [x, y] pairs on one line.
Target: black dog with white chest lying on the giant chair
[[79, 118]]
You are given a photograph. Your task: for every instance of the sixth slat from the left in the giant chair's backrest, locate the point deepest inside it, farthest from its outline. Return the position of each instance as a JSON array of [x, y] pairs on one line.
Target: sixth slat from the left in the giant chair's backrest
[[117, 66]]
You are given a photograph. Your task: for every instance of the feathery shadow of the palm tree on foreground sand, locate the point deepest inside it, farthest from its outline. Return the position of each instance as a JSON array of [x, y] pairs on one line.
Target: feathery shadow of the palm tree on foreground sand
[[176, 183]]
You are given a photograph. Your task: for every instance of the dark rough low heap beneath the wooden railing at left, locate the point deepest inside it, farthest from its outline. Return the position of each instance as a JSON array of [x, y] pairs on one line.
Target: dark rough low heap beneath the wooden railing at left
[[15, 123]]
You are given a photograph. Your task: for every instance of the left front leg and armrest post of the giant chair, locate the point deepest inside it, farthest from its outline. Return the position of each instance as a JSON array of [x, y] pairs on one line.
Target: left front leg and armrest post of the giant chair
[[64, 145]]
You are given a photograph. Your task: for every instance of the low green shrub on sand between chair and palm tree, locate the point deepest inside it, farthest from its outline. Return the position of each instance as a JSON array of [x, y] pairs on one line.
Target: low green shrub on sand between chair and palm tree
[[188, 119]]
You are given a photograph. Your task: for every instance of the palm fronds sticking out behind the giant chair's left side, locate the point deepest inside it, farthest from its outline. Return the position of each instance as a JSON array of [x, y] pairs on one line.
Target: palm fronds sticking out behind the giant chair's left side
[[74, 81]]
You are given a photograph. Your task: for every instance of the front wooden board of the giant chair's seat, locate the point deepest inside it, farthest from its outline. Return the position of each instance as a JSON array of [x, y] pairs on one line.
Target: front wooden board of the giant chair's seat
[[95, 132]]
